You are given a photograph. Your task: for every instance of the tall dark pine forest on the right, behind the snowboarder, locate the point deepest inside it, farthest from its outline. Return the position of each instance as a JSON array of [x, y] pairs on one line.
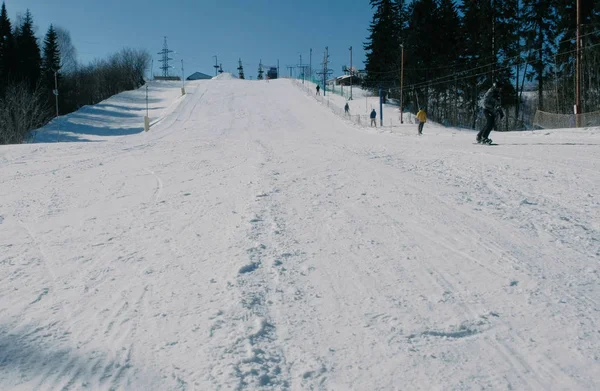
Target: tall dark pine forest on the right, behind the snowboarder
[[452, 51]]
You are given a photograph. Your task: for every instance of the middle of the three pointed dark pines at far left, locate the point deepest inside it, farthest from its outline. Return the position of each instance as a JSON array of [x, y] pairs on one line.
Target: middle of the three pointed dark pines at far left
[[28, 52]]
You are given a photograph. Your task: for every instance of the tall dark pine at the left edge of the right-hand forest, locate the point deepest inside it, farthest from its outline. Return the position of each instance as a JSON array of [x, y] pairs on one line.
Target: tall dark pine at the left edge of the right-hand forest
[[383, 49]]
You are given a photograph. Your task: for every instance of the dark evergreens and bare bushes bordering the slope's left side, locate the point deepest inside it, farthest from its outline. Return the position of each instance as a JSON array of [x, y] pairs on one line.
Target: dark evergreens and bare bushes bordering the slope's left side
[[32, 72]]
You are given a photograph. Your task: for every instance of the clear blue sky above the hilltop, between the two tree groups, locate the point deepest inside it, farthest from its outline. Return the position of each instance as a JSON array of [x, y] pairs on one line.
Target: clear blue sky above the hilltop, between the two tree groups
[[199, 29]]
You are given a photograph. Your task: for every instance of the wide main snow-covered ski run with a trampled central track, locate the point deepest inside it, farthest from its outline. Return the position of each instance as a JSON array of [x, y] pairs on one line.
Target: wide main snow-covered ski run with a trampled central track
[[253, 240]]
